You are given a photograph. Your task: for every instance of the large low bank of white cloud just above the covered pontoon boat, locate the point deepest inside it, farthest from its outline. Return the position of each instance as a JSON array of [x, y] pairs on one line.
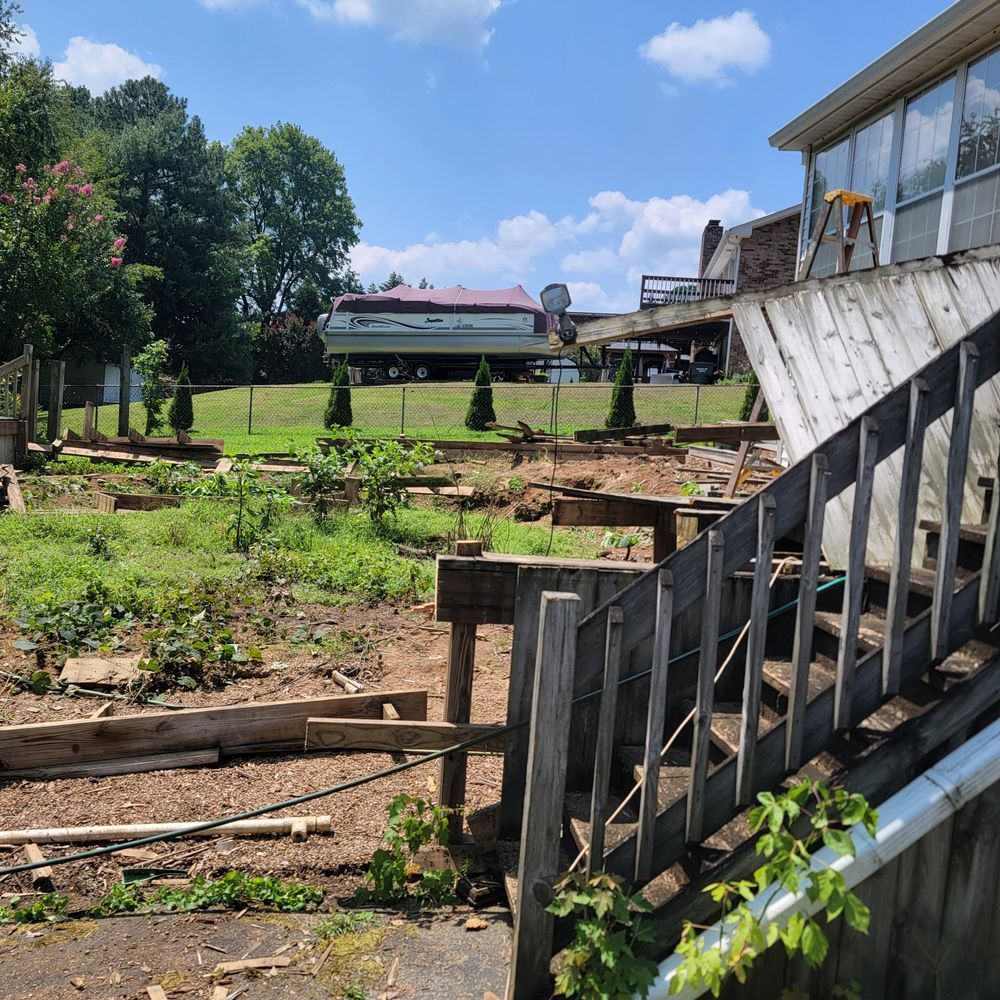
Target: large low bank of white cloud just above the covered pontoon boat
[[615, 237]]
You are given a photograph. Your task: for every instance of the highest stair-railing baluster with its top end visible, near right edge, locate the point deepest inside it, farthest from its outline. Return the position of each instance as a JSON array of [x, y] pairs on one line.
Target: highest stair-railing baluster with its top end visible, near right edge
[[951, 518]]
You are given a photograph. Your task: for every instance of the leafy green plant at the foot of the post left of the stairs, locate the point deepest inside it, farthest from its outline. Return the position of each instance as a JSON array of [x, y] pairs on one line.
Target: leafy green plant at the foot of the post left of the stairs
[[393, 874]]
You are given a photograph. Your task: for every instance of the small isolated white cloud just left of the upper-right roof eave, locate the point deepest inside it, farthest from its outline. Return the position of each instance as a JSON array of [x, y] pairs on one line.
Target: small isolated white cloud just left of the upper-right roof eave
[[706, 49]]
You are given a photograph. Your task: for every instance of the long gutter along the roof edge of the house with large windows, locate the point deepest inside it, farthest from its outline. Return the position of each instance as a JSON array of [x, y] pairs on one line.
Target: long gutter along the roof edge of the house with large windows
[[801, 131]]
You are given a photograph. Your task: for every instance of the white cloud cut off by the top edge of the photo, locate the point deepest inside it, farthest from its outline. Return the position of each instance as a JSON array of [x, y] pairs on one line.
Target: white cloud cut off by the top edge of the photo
[[455, 23]]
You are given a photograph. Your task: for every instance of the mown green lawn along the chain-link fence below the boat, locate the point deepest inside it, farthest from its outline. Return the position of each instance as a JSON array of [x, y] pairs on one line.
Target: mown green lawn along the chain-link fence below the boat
[[295, 413]]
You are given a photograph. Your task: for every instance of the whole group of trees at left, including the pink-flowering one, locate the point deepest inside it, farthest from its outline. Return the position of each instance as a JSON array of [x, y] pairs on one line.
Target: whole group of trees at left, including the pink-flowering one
[[122, 225]]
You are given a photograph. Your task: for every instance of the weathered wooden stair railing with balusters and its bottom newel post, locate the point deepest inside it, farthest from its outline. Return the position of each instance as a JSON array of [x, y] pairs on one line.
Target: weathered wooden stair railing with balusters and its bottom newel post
[[695, 577]]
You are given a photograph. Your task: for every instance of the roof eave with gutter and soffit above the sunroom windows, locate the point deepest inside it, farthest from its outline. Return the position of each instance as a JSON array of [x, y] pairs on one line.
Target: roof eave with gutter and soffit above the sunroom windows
[[921, 57]]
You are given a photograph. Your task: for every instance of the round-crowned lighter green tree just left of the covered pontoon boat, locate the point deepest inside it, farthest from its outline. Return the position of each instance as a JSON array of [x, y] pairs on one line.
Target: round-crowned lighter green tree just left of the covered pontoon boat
[[298, 221]]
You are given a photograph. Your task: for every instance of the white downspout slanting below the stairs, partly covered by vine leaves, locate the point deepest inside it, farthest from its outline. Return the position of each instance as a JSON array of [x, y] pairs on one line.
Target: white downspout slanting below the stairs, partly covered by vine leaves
[[903, 820]]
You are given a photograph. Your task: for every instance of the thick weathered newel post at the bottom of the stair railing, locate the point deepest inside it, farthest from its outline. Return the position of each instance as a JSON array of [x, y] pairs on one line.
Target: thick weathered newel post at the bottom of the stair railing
[[548, 750]]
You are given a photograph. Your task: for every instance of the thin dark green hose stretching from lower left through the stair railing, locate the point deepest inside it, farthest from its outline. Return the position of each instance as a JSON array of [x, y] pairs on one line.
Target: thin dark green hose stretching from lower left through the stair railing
[[344, 786]]
